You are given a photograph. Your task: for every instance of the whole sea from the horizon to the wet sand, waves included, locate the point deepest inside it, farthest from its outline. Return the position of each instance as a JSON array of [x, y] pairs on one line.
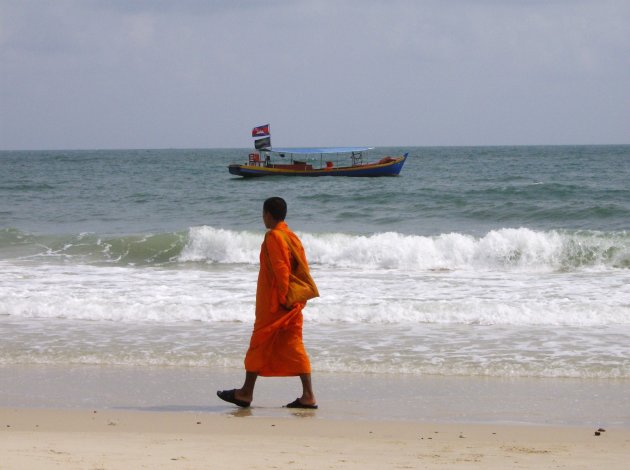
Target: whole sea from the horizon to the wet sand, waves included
[[474, 262]]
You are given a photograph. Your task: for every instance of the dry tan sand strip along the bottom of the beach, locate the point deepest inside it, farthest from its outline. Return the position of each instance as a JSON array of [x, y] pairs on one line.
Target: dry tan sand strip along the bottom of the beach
[[111, 439]]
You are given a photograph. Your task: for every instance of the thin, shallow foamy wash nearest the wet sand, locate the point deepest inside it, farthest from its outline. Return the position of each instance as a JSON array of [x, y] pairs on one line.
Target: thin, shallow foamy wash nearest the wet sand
[[467, 350]]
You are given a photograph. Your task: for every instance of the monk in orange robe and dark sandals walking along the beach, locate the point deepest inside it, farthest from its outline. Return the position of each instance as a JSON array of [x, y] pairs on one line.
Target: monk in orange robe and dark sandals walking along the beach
[[276, 348]]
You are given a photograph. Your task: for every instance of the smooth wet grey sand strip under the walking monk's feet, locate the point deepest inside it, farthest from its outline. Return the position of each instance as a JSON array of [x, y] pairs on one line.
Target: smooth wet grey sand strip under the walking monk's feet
[[351, 397]]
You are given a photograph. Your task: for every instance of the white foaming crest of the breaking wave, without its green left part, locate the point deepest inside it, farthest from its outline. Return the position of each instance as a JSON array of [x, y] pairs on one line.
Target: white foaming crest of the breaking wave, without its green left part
[[511, 249]]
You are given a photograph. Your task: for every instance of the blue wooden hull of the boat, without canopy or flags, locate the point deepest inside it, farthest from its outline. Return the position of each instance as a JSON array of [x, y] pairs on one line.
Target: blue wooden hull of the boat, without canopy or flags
[[390, 168]]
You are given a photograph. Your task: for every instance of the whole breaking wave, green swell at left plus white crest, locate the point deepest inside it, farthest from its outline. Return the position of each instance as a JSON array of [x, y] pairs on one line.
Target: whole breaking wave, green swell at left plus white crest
[[508, 248]]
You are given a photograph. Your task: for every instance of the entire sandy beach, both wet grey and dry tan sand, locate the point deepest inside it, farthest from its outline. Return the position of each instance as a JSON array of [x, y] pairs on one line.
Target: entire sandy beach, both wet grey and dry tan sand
[[122, 418]]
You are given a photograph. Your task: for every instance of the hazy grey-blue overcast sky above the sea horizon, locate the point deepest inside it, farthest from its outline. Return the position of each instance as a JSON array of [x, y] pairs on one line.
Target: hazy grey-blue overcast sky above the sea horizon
[[201, 74]]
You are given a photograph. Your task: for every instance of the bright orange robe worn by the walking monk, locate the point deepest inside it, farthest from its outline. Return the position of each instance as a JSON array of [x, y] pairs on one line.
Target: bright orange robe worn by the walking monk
[[276, 348]]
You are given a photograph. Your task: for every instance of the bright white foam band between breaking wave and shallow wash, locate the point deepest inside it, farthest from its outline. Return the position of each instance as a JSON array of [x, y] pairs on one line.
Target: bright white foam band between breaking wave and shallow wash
[[368, 296]]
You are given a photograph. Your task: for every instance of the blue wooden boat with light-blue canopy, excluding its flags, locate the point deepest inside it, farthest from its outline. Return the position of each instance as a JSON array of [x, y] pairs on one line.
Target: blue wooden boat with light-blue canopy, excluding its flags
[[316, 162]]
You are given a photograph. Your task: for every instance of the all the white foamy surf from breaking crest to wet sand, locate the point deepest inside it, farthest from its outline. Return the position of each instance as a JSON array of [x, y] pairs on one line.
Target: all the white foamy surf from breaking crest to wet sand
[[512, 303]]
